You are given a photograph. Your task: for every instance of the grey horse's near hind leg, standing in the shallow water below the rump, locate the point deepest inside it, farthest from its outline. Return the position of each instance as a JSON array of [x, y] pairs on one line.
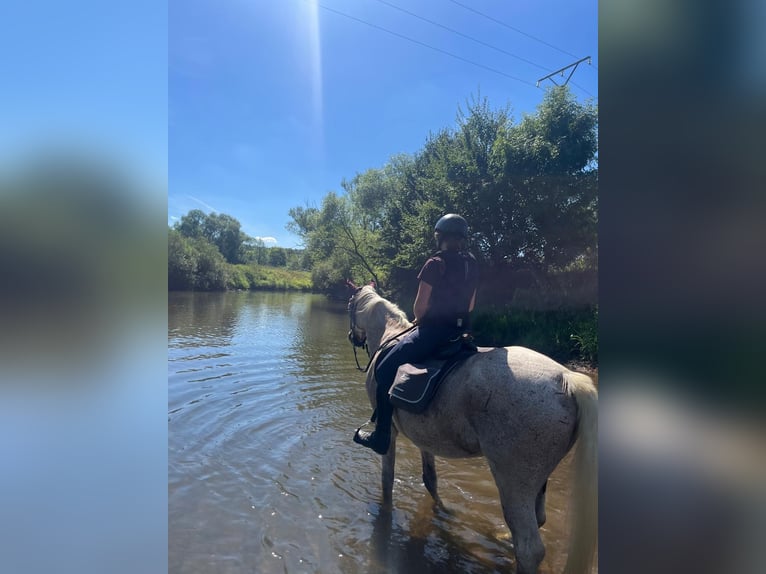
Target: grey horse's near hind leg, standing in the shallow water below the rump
[[518, 501]]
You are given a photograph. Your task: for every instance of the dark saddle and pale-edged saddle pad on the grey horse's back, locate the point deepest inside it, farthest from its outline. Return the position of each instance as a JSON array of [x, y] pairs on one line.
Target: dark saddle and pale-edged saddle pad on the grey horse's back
[[416, 384]]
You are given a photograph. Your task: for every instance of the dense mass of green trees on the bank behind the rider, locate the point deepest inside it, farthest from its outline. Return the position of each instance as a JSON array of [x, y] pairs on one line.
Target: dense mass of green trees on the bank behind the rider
[[527, 188]]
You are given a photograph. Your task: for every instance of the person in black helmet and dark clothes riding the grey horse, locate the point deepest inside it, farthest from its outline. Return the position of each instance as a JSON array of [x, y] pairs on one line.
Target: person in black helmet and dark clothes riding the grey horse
[[446, 296]]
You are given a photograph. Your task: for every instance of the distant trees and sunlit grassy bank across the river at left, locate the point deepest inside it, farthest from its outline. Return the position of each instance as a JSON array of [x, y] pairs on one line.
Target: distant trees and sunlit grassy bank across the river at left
[[210, 252]]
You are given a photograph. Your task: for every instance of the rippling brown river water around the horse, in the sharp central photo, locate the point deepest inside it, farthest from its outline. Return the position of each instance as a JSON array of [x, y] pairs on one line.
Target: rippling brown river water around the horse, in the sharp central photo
[[263, 399]]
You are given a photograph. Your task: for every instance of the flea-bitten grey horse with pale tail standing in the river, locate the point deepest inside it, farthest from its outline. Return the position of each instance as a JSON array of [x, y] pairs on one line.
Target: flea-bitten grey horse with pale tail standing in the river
[[519, 409]]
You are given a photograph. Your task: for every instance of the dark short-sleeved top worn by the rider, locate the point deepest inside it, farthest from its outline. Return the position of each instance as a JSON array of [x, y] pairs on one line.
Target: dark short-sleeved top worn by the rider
[[453, 277]]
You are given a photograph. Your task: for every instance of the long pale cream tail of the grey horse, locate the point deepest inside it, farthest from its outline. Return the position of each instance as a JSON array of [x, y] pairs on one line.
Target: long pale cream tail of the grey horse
[[584, 505]]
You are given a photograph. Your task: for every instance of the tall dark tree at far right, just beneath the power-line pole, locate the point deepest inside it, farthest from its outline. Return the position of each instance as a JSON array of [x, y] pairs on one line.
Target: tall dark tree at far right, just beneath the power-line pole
[[550, 167]]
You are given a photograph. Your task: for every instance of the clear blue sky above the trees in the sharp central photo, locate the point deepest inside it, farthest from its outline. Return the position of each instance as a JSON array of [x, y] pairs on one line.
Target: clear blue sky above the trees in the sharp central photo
[[271, 103]]
